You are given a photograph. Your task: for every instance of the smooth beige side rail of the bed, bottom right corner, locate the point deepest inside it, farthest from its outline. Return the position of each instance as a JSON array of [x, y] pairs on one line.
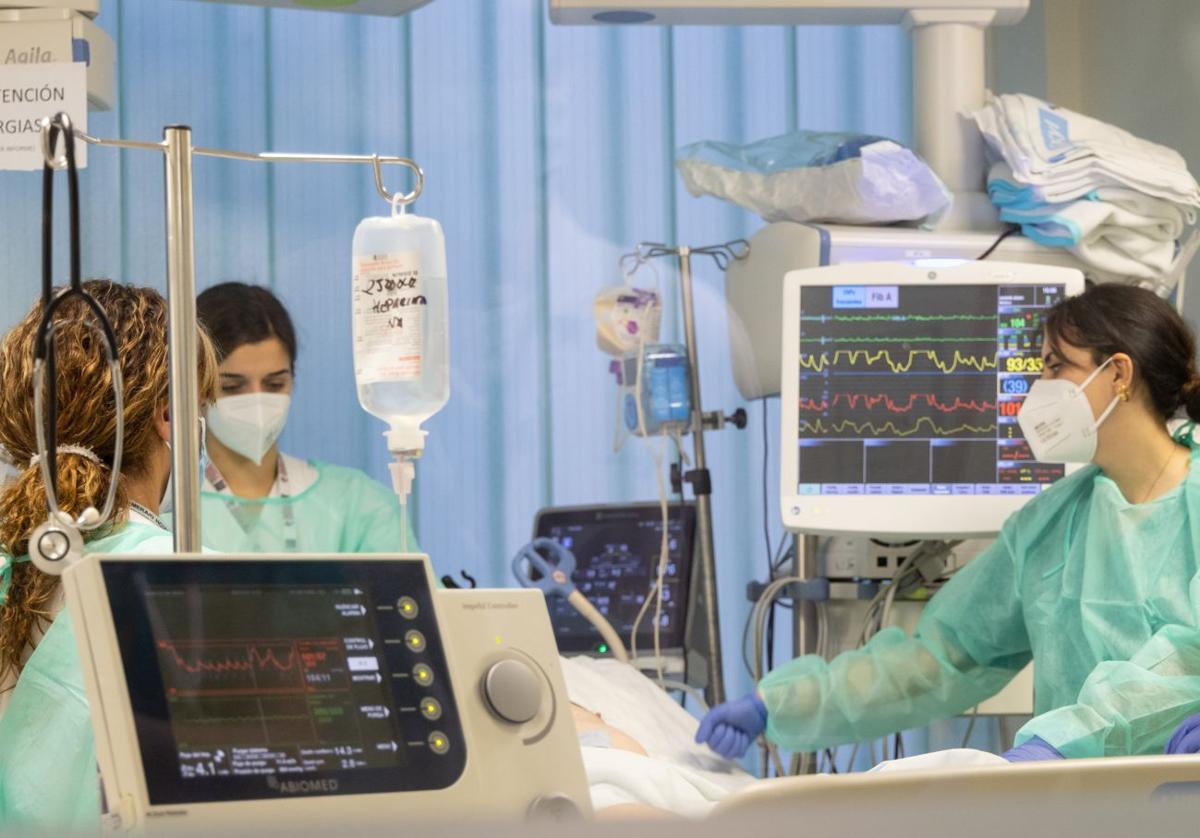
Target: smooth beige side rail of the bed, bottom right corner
[[1114, 797]]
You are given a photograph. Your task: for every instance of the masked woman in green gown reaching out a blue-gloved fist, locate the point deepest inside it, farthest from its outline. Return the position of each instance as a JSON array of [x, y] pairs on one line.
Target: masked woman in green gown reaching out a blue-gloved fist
[[1095, 580]]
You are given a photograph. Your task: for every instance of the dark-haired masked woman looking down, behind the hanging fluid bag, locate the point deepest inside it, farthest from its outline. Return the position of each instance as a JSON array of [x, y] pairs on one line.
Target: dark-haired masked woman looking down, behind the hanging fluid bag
[[255, 498]]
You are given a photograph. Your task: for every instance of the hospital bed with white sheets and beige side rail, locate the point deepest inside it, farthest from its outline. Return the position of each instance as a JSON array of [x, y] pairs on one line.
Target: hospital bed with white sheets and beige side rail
[[679, 777]]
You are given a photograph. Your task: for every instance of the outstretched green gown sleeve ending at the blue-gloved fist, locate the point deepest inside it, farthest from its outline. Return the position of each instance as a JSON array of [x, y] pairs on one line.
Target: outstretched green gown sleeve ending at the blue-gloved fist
[[970, 642]]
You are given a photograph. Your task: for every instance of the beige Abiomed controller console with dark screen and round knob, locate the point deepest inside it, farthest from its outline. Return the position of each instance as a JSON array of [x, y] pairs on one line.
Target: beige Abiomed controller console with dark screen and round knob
[[257, 691]]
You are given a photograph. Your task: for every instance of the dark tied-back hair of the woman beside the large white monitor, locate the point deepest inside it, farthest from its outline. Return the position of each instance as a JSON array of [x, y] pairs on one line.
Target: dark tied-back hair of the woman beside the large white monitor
[[1111, 319]]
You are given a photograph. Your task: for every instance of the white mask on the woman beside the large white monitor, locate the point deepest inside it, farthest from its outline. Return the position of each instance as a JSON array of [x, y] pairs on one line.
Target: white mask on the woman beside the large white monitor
[[1058, 422]]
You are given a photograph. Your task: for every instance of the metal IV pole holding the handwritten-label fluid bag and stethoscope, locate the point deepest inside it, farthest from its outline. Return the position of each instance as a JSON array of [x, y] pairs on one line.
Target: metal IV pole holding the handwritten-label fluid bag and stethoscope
[[184, 402]]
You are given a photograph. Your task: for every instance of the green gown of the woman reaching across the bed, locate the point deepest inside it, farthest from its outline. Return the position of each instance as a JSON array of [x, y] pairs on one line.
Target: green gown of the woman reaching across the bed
[[1102, 595]]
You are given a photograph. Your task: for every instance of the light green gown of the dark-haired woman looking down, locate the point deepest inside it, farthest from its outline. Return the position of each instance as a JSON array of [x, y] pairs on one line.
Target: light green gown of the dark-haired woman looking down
[[345, 511]]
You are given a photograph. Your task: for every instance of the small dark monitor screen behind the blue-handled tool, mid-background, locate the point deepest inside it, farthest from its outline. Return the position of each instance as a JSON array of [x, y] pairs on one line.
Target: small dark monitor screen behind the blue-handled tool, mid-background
[[617, 550]]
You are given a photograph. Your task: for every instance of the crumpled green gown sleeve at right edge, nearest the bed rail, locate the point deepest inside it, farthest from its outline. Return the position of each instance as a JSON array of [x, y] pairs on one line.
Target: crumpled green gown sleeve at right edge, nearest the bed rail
[[1129, 708]]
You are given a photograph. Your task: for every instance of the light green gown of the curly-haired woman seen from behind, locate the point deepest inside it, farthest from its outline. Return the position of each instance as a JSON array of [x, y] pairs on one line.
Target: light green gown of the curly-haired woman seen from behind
[[49, 779]]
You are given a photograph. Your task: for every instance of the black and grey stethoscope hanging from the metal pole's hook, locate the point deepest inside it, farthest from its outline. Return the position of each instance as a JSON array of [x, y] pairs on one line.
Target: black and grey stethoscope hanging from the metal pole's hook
[[59, 541]]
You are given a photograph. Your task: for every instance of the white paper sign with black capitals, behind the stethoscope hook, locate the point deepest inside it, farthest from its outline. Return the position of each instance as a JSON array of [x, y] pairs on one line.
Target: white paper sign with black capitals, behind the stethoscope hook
[[29, 92]]
